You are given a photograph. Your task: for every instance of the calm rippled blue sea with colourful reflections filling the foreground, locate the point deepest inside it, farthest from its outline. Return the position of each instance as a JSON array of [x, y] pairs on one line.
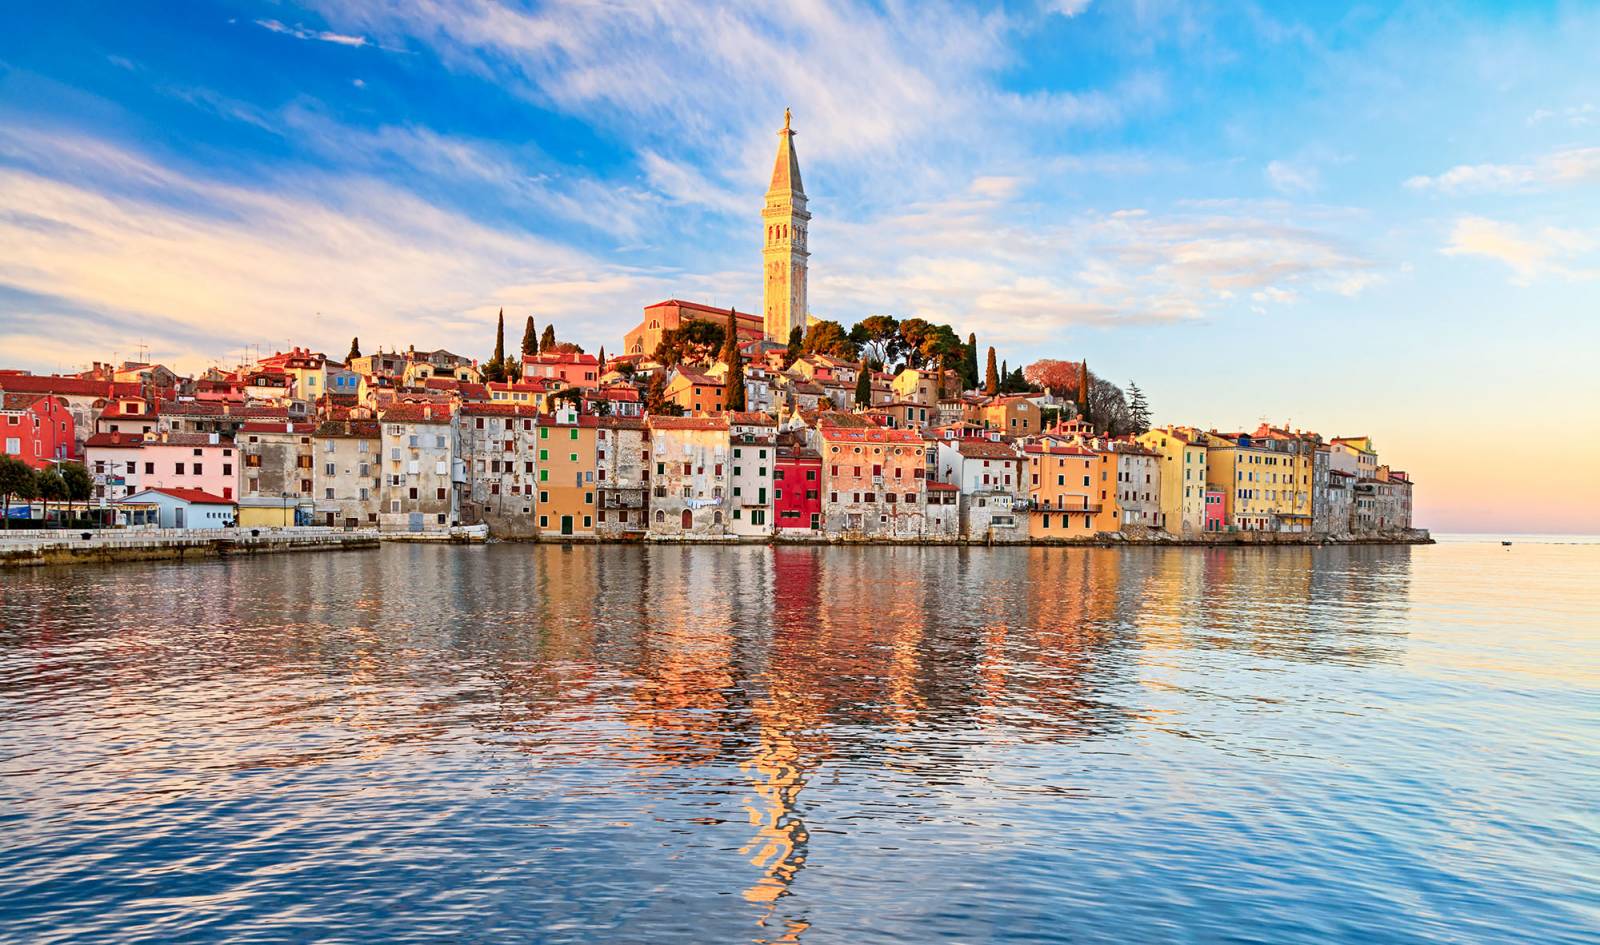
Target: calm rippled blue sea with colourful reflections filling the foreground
[[620, 744]]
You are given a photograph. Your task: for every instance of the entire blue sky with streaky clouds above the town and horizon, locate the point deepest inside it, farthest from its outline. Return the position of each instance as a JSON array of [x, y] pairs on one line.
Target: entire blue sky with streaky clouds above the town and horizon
[[1364, 220]]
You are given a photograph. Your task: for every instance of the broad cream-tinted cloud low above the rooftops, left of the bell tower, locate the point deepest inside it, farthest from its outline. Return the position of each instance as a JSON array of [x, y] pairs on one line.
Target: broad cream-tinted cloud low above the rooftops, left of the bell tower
[[132, 249]]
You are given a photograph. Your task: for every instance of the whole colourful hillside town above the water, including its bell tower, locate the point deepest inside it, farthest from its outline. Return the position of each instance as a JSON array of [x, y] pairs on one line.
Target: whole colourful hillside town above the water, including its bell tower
[[703, 425]]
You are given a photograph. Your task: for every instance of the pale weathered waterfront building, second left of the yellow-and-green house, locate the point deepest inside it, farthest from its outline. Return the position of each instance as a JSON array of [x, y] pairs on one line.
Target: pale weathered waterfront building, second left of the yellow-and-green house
[[418, 460]]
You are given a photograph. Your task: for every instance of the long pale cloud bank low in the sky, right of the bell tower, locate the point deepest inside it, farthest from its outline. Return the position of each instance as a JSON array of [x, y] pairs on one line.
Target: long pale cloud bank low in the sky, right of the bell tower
[[974, 263]]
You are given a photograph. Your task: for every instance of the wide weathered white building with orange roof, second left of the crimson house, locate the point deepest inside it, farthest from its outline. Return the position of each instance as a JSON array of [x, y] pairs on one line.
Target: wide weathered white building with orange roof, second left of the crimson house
[[689, 484]]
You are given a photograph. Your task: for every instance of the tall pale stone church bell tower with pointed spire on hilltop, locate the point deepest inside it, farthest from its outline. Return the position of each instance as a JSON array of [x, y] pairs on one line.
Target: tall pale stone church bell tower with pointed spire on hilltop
[[785, 252]]
